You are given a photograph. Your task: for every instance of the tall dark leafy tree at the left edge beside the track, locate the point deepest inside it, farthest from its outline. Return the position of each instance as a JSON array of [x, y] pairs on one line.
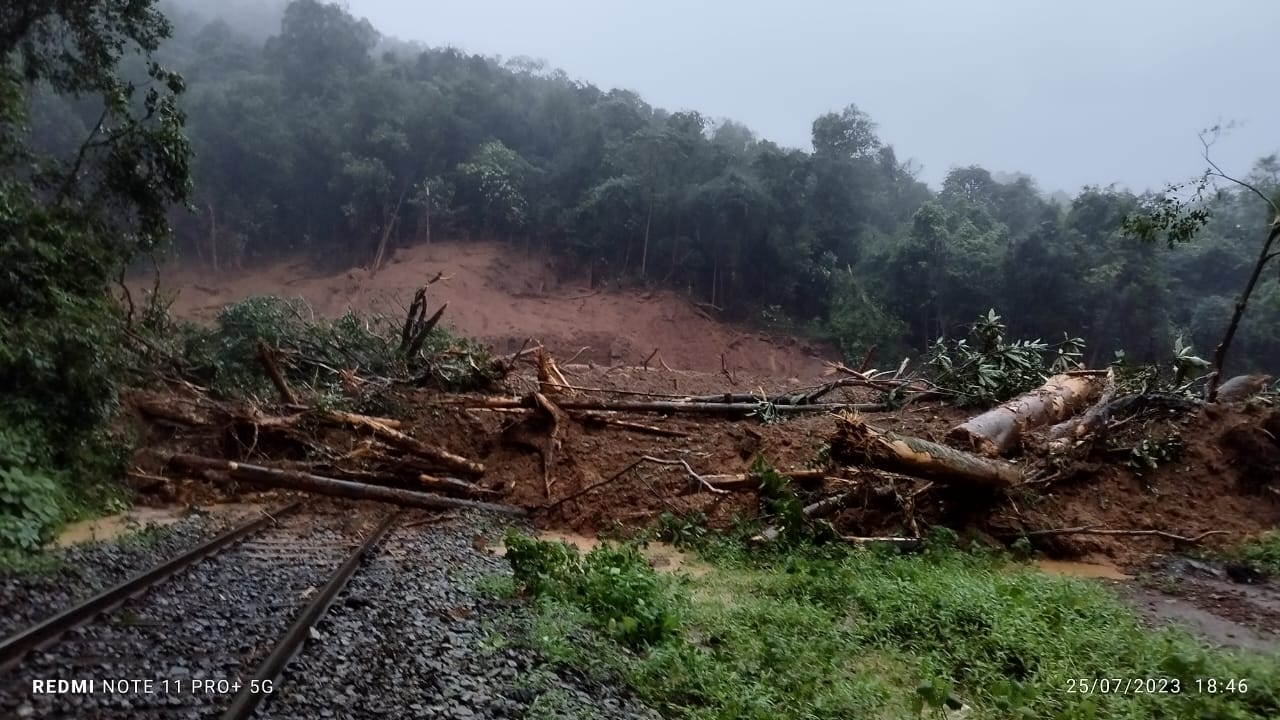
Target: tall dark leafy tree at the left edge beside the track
[[70, 224]]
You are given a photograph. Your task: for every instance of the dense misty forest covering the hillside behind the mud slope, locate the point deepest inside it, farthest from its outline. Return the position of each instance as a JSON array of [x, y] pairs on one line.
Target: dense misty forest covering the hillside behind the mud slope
[[330, 139]]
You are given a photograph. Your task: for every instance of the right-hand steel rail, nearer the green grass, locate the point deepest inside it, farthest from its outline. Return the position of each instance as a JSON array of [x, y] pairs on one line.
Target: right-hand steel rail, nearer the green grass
[[253, 691]]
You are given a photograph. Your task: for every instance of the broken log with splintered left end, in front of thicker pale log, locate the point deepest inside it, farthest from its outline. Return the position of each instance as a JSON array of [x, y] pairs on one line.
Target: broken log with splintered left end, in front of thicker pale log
[[858, 444]]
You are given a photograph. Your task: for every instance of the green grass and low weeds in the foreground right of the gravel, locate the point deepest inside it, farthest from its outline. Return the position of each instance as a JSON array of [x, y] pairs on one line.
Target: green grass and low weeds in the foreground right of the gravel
[[840, 634]]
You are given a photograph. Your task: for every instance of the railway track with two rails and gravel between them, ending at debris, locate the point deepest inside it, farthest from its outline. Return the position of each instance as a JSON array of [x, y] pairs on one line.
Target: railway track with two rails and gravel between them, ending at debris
[[204, 635]]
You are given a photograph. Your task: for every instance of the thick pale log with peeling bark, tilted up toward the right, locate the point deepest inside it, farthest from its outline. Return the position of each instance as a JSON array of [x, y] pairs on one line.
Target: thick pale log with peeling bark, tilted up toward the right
[[999, 431]]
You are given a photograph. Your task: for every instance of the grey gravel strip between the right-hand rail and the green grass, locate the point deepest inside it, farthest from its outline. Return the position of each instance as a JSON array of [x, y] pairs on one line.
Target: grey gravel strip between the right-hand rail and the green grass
[[413, 639]]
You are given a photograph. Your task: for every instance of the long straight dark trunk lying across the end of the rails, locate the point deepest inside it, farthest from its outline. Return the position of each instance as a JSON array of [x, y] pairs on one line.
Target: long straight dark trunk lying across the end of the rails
[[318, 485]]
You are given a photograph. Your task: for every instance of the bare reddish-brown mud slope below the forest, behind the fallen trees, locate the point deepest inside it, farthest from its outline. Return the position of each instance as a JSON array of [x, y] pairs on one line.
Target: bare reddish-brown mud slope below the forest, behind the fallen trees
[[501, 298]]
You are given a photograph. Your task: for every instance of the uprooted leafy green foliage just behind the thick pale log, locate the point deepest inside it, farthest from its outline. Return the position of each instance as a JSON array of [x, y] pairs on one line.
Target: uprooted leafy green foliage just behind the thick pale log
[[986, 368]]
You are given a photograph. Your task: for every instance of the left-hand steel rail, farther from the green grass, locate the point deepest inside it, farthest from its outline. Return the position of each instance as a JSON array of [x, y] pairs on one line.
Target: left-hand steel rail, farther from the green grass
[[17, 646]]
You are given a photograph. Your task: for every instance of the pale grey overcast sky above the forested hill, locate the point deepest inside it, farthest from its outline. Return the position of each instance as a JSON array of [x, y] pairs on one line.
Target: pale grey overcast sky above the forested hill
[[1073, 93]]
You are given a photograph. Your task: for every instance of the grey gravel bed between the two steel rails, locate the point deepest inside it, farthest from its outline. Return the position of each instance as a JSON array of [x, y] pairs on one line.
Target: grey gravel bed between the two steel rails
[[213, 622]]
